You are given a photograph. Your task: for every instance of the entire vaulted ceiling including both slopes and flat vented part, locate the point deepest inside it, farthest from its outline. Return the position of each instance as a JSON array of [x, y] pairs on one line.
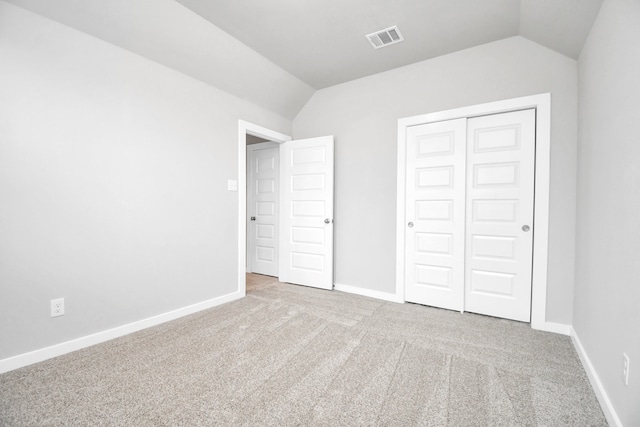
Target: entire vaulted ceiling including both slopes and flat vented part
[[276, 53]]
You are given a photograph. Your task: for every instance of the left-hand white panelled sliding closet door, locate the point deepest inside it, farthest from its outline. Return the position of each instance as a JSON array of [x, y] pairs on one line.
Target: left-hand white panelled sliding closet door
[[434, 263]]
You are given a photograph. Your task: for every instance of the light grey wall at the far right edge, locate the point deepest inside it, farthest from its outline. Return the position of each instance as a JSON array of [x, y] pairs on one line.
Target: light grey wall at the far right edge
[[607, 290]]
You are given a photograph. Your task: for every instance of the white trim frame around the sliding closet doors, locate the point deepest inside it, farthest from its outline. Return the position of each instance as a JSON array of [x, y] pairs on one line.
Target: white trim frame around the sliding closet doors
[[542, 104]]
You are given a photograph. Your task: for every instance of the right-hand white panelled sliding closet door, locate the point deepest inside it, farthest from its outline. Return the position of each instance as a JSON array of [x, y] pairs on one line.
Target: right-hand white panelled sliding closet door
[[499, 220]]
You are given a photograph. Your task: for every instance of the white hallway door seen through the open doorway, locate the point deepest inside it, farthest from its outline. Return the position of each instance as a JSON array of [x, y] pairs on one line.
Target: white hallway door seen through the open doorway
[[264, 160]]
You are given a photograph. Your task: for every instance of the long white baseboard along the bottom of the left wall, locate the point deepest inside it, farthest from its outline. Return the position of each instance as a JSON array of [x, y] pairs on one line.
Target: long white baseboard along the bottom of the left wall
[[42, 354]]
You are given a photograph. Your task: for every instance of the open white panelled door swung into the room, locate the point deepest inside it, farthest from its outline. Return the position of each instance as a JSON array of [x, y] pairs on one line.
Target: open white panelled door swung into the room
[[306, 189]]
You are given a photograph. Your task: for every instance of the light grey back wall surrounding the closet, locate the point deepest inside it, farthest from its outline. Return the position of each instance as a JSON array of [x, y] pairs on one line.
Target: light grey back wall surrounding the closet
[[363, 115]]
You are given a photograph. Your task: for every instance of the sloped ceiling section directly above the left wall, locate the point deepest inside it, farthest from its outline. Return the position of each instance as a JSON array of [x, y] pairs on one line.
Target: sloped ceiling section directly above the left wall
[[168, 33]]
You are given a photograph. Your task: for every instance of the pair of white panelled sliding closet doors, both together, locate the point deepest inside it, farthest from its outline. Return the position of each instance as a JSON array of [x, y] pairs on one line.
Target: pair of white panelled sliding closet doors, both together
[[469, 214]]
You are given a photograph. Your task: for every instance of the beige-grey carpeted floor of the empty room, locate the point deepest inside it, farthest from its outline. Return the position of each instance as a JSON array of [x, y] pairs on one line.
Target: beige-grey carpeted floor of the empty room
[[291, 355]]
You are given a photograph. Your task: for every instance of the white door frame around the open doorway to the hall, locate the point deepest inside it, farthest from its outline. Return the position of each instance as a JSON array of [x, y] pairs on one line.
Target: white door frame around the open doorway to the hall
[[244, 129]]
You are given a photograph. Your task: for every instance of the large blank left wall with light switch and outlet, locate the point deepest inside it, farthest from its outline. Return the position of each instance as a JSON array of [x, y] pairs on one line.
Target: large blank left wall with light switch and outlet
[[113, 184]]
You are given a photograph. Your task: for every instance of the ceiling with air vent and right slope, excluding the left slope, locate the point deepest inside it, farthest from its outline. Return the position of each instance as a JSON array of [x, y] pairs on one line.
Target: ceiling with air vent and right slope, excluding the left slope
[[322, 41]]
